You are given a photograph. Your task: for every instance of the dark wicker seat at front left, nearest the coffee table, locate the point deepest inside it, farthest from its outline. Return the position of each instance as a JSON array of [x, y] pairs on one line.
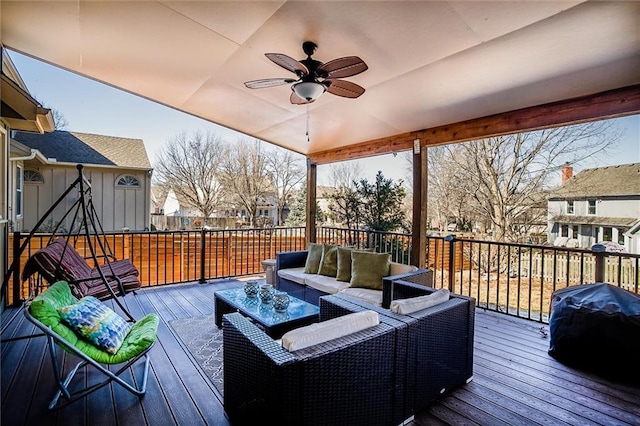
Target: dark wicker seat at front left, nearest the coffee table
[[349, 380]]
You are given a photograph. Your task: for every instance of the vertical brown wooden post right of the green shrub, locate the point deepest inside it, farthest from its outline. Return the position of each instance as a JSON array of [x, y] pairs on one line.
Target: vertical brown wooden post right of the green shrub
[[419, 223]]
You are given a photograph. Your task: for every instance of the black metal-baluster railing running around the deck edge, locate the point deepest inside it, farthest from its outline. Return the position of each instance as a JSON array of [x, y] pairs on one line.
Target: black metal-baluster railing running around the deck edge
[[516, 279]]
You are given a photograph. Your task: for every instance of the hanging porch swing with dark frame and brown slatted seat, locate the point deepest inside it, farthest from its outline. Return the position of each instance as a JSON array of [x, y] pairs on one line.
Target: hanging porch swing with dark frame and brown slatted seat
[[108, 278]]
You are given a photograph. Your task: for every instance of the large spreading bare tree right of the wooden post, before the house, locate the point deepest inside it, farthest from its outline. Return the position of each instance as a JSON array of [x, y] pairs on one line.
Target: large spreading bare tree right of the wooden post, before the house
[[504, 176]]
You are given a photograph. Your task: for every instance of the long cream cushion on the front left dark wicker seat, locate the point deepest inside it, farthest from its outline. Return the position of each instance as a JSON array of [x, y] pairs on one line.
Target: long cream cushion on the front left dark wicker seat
[[325, 331]]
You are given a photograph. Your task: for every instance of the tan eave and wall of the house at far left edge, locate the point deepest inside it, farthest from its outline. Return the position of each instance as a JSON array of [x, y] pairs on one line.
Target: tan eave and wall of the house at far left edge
[[18, 111]]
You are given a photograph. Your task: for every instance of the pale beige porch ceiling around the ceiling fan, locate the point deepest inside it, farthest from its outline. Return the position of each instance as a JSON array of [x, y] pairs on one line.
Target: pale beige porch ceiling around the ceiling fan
[[430, 62]]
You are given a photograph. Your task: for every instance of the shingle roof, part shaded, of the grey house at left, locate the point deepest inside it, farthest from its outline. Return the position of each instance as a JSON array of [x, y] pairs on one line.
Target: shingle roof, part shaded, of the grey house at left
[[87, 148]]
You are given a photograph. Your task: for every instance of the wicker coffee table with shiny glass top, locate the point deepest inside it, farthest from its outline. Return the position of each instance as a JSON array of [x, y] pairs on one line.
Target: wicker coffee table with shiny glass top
[[275, 324]]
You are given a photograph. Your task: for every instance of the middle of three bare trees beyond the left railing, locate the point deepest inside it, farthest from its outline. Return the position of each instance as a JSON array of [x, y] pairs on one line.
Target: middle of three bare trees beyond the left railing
[[244, 175]]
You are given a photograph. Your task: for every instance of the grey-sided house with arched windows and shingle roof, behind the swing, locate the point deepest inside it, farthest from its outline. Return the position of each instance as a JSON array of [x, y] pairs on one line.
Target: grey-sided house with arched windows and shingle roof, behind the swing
[[118, 169]]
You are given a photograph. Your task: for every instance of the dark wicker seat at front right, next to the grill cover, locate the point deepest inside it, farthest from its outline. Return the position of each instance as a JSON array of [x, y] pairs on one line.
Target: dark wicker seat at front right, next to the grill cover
[[434, 346]]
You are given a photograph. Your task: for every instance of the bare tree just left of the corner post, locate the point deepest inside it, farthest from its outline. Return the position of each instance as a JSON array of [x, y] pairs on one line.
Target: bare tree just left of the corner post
[[286, 170]]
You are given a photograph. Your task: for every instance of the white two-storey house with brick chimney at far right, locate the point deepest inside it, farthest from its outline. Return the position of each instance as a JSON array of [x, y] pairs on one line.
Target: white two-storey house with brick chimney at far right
[[597, 205]]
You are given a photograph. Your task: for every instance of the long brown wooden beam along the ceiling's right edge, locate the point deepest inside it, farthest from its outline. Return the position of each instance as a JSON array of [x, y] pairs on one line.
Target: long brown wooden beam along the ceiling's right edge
[[599, 106]]
